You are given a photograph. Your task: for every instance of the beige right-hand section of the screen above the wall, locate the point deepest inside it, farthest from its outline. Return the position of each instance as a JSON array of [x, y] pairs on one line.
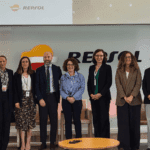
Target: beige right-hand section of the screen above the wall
[[111, 11]]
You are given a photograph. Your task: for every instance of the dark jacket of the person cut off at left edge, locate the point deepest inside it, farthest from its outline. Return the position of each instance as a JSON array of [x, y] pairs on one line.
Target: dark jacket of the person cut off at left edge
[[9, 90]]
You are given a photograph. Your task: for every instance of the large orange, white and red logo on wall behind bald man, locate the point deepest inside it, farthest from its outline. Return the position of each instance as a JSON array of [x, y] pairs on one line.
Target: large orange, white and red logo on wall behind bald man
[[36, 55]]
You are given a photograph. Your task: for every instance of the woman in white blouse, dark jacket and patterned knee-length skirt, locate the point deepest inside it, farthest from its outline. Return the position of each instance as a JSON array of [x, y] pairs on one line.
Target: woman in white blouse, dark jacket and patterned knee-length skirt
[[25, 111]]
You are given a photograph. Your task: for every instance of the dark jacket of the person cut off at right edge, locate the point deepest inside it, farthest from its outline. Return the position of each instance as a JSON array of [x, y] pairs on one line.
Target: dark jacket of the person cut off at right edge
[[146, 85]]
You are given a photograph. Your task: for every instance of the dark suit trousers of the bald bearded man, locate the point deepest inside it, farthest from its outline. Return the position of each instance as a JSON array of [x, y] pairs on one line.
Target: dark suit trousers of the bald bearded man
[[51, 110]]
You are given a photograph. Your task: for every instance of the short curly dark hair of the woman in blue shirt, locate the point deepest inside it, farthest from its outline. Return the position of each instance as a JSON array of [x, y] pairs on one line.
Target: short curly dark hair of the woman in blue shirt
[[74, 61]]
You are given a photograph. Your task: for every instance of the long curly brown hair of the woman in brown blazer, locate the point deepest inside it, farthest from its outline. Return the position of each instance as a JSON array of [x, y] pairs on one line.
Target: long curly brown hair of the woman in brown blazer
[[122, 64]]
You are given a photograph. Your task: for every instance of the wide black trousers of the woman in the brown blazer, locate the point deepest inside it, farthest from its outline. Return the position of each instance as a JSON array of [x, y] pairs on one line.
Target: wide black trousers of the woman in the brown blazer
[[129, 126]]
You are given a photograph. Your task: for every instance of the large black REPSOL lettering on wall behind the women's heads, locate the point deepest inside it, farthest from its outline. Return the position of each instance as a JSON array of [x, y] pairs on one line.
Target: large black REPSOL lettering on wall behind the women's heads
[[87, 56]]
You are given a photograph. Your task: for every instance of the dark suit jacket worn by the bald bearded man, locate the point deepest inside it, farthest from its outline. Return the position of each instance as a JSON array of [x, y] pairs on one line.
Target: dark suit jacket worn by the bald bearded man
[[41, 82]]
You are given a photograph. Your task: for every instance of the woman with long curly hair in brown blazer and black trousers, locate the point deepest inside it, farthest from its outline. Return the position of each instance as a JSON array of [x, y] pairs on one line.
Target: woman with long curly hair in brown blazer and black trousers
[[128, 101]]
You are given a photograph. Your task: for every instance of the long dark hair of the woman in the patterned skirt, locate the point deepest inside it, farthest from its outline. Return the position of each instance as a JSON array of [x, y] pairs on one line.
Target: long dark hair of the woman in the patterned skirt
[[20, 68]]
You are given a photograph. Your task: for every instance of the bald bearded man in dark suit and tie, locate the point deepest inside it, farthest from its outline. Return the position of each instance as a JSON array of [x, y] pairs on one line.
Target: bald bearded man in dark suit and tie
[[48, 95]]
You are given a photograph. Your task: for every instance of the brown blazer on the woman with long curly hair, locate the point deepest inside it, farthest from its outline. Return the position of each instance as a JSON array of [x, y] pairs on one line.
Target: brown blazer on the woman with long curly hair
[[128, 86]]
